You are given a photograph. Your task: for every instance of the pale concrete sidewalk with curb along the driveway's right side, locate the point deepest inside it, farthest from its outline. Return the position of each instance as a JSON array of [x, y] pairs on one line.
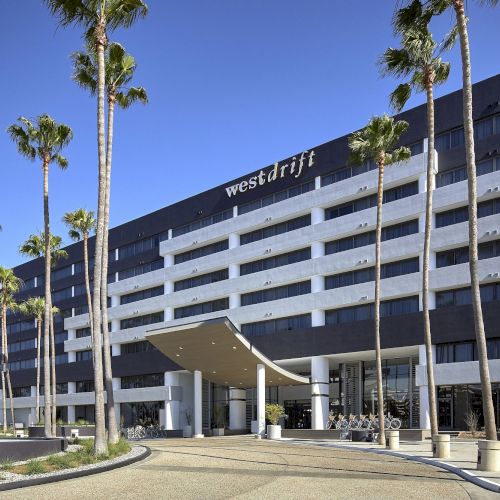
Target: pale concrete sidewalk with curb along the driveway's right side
[[462, 461]]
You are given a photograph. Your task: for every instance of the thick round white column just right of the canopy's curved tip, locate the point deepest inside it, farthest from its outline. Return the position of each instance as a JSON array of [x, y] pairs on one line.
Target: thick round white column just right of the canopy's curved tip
[[320, 392]]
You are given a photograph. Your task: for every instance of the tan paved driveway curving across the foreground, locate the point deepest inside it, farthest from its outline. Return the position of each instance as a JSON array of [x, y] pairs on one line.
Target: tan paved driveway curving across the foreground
[[243, 467]]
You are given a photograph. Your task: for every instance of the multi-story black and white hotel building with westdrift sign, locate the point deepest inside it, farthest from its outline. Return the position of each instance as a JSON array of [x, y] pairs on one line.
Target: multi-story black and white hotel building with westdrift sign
[[286, 253]]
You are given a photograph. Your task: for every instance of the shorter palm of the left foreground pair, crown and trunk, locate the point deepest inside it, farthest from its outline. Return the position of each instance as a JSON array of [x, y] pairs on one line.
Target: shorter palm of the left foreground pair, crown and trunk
[[120, 68]]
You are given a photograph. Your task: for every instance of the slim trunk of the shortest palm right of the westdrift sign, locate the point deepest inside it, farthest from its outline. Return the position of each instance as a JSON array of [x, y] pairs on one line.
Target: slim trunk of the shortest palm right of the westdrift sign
[[378, 358]]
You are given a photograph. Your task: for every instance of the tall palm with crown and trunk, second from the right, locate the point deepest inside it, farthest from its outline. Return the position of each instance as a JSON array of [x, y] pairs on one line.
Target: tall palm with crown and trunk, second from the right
[[418, 60]]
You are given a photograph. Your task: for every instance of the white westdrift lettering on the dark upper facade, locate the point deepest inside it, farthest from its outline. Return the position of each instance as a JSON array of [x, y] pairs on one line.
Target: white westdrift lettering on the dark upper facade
[[294, 168]]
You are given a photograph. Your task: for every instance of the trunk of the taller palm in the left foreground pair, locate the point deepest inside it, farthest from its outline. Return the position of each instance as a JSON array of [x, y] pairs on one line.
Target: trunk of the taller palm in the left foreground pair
[[100, 443]]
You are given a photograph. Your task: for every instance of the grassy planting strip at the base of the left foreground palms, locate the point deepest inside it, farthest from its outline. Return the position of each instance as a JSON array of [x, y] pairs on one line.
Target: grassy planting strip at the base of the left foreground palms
[[83, 456]]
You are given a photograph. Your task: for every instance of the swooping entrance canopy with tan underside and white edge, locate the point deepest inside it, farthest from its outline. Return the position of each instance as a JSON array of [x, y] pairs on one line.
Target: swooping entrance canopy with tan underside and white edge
[[216, 348]]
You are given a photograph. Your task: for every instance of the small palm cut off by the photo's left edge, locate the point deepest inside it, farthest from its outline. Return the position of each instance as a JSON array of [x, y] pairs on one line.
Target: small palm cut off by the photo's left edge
[[10, 284]]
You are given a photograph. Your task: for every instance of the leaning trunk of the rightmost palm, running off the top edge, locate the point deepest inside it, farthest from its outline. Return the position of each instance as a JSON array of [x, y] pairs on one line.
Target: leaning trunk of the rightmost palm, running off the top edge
[[484, 372]]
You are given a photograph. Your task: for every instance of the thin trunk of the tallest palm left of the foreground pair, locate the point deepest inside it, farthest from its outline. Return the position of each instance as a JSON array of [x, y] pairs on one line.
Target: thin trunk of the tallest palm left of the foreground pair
[[48, 302]]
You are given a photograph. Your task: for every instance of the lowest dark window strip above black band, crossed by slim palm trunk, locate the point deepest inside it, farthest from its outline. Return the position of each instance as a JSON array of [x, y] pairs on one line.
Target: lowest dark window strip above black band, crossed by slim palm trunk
[[350, 314]]
